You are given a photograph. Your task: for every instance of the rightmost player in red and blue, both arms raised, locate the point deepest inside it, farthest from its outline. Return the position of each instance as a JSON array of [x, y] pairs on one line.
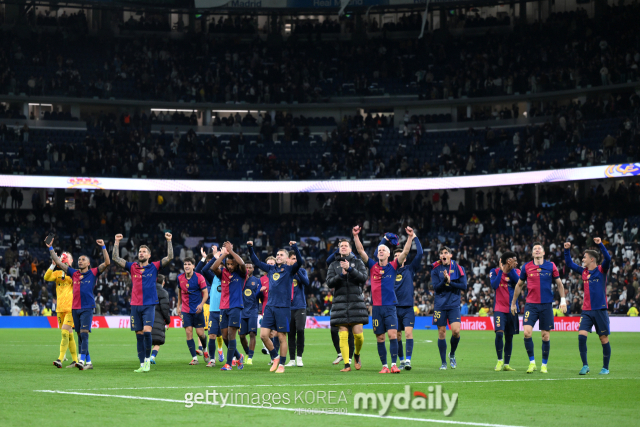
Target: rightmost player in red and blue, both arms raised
[[594, 306]]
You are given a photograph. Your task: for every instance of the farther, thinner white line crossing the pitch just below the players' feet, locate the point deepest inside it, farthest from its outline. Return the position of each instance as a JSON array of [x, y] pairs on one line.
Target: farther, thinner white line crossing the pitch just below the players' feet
[[352, 384]]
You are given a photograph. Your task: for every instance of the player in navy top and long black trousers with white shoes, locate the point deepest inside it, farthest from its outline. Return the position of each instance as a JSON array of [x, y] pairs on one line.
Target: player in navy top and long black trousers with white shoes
[[298, 313]]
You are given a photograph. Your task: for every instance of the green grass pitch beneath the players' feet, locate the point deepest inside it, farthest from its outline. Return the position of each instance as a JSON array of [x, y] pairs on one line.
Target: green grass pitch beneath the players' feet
[[112, 394]]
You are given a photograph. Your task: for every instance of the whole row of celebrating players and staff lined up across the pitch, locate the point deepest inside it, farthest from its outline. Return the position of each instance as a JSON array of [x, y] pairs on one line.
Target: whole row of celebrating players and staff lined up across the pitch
[[221, 299]]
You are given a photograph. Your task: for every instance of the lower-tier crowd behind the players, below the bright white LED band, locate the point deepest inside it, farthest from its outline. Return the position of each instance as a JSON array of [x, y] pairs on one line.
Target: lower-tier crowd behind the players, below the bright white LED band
[[478, 240]]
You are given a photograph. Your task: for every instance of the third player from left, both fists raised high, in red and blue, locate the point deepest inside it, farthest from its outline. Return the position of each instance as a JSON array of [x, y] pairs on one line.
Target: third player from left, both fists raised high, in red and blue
[[144, 296]]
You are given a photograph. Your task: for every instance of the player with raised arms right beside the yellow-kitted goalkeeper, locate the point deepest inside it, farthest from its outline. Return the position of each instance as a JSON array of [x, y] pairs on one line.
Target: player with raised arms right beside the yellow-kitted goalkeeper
[[84, 280]]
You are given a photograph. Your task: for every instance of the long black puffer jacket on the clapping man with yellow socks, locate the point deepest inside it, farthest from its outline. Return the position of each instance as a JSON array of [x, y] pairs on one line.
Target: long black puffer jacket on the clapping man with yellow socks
[[348, 302]]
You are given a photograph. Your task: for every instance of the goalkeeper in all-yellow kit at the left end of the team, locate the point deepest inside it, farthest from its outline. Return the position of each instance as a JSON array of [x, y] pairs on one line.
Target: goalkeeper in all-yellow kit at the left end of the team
[[64, 295]]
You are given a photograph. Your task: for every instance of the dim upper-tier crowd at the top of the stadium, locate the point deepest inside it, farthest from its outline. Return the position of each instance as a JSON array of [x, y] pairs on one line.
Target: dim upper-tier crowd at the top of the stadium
[[567, 51]]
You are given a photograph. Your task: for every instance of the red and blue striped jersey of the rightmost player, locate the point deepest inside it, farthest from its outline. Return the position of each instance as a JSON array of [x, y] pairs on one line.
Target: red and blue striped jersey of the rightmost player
[[595, 281]]
